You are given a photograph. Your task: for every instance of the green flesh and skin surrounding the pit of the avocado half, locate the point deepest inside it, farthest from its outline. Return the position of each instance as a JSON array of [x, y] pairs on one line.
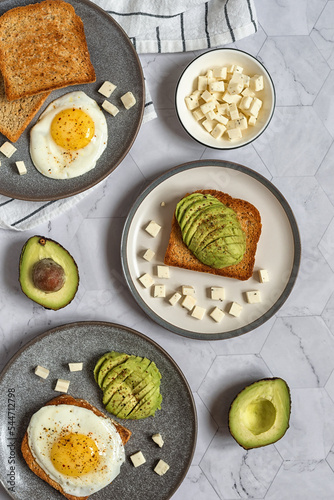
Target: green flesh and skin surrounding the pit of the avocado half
[[37, 248]]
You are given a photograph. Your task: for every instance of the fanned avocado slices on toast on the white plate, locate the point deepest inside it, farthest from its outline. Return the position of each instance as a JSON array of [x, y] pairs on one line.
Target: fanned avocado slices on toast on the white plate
[[211, 230]]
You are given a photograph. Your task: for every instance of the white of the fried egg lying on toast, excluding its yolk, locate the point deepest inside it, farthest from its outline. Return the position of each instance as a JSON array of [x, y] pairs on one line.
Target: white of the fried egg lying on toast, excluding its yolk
[[48, 424]]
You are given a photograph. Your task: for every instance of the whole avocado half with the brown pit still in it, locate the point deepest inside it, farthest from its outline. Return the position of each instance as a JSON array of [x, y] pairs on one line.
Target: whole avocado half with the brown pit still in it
[[42, 254]]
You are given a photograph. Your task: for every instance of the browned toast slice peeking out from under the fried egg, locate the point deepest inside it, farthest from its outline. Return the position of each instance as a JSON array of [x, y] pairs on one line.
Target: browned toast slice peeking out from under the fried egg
[[29, 458]]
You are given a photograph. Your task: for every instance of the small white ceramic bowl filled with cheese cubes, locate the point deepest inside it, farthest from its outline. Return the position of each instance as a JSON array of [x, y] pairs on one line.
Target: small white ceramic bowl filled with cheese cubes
[[188, 83]]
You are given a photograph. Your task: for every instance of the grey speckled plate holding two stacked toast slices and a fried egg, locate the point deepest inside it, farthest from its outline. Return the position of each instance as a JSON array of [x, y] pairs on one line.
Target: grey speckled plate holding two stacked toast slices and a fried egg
[[114, 59]]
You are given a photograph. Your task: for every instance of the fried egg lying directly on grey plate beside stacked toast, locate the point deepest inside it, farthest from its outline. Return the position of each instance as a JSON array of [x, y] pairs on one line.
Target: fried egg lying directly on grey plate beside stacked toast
[[69, 137]]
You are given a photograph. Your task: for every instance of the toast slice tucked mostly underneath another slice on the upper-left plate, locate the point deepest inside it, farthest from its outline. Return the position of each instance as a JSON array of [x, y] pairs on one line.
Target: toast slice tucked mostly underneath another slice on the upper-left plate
[[16, 115]]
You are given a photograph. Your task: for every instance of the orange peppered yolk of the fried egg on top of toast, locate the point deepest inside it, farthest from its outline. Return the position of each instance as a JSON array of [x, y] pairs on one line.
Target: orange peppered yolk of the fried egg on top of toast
[[75, 455]]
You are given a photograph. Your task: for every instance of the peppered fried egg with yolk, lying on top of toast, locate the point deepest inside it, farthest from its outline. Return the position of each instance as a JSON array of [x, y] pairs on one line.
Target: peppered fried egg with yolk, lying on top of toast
[[78, 449]]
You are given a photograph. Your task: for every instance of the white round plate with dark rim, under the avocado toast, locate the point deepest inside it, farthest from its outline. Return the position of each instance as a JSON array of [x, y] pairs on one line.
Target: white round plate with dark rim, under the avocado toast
[[278, 250]]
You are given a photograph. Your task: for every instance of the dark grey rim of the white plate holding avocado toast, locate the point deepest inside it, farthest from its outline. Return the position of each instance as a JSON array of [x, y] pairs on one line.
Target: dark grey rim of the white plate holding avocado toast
[[296, 259]]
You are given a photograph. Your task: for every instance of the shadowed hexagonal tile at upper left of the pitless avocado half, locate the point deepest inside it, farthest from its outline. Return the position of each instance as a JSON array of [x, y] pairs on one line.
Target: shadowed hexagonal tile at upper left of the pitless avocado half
[[227, 376]]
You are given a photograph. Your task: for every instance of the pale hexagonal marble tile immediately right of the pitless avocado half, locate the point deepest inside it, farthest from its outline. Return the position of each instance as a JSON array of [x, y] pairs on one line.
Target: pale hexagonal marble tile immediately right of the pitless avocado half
[[311, 432]]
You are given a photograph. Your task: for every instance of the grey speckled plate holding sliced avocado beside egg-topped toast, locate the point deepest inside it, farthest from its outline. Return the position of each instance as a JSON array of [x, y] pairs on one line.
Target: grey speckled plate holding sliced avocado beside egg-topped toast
[[22, 393]]
